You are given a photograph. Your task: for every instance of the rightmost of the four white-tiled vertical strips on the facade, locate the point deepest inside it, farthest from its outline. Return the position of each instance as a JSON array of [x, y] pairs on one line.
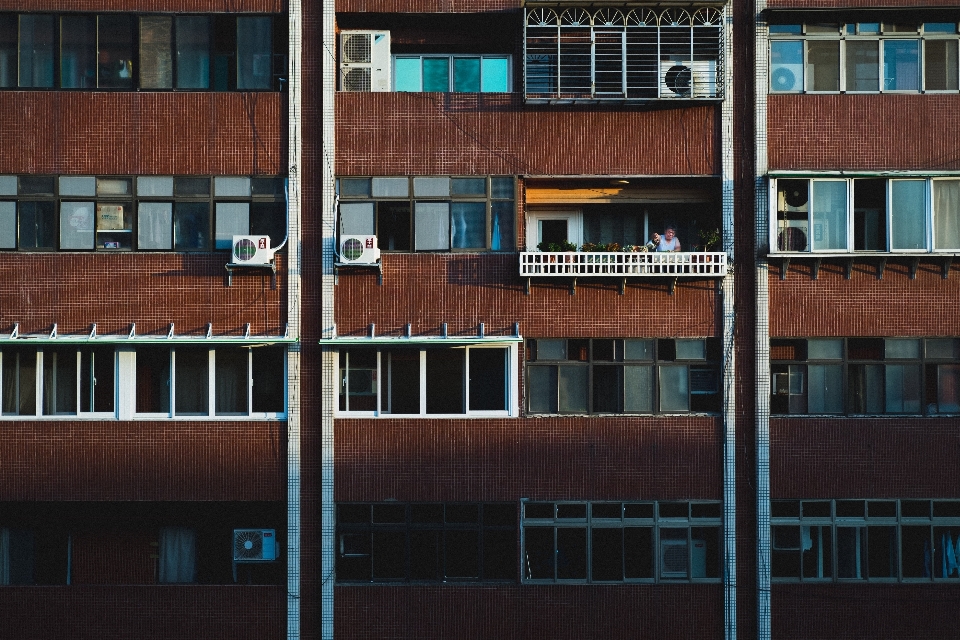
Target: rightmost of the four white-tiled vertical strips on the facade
[[762, 347]]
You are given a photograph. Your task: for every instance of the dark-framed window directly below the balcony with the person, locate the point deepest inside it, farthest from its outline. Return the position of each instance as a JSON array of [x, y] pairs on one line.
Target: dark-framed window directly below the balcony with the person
[[631, 375]]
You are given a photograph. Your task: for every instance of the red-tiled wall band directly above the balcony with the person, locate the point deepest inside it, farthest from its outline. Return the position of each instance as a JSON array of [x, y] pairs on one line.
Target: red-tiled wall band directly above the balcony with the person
[[476, 134]]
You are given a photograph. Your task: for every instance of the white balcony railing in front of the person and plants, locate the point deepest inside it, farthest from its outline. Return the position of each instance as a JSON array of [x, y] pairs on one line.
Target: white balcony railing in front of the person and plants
[[608, 263]]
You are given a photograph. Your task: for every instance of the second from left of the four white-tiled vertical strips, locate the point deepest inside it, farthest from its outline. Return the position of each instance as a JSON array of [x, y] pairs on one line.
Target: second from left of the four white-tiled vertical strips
[[327, 215]]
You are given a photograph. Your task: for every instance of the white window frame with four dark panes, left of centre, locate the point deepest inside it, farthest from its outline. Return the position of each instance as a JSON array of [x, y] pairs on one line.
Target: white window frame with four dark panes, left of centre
[[511, 394]]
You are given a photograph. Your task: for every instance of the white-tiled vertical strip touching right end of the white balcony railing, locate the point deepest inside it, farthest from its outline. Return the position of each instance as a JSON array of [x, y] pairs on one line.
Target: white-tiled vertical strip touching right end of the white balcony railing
[[729, 369]]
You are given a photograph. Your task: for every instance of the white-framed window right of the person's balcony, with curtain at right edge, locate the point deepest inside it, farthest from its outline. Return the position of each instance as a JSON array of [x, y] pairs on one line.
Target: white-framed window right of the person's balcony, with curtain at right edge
[[913, 214]]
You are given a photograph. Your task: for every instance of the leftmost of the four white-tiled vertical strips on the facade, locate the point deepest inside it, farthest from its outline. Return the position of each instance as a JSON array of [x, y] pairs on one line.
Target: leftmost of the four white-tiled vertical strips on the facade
[[295, 28]]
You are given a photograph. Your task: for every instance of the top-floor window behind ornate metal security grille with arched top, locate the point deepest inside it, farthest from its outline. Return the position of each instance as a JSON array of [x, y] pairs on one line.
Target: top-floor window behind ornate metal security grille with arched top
[[623, 54]]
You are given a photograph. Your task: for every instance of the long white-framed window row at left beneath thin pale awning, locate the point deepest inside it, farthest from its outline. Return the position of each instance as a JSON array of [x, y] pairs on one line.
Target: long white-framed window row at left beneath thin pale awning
[[67, 380]]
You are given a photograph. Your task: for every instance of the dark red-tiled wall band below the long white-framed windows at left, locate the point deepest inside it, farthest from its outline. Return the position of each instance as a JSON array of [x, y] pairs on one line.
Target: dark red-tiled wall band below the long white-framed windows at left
[[113, 460]]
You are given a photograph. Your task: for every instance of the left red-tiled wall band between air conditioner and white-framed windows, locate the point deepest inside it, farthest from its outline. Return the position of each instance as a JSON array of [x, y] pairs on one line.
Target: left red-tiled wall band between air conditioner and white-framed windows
[[150, 289]]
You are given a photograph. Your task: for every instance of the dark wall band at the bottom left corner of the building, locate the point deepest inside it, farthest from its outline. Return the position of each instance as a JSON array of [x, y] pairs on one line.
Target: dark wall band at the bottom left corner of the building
[[143, 612]]
